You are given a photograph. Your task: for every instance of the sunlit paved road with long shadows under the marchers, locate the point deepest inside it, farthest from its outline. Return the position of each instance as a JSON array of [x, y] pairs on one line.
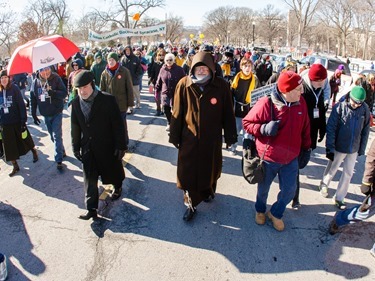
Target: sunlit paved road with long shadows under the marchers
[[143, 237]]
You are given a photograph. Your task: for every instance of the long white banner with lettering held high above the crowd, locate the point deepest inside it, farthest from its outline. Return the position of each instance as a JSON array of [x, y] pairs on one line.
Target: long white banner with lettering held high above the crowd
[[127, 32]]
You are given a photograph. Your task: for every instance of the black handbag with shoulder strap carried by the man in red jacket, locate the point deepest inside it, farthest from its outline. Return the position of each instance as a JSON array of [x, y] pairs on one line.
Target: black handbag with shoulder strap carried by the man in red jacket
[[252, 164]]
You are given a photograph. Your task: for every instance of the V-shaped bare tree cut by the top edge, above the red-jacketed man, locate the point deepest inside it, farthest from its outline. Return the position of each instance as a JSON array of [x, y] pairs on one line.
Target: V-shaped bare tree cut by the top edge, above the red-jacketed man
[[304, 11]]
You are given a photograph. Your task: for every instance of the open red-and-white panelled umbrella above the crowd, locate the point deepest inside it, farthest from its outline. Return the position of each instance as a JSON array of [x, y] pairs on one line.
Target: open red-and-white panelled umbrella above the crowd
[[39, 53]]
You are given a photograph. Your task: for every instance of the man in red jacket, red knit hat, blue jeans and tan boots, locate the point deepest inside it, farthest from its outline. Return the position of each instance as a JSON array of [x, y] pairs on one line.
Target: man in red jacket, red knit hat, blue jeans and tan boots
[[281, 127]]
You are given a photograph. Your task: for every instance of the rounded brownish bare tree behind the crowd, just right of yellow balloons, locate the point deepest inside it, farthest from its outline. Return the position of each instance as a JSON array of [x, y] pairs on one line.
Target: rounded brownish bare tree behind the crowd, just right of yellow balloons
[[218, 23]]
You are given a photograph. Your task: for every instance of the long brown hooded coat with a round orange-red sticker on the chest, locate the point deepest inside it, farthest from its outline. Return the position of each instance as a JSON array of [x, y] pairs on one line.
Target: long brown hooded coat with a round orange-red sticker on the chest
[[198, 120]]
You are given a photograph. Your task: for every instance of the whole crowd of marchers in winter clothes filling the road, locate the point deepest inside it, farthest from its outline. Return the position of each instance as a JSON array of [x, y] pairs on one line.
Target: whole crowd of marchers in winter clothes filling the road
[[205, 93]]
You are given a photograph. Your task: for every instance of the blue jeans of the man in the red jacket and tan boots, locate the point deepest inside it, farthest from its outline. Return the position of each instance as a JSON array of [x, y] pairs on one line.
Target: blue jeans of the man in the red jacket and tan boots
[[287, 182]]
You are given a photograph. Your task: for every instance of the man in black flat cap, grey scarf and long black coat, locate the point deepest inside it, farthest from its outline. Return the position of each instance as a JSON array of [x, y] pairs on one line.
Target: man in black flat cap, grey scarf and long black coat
[[98, 140]]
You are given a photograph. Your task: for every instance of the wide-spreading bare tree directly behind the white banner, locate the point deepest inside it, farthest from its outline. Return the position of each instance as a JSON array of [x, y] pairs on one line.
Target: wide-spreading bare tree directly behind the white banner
[[121, 11]]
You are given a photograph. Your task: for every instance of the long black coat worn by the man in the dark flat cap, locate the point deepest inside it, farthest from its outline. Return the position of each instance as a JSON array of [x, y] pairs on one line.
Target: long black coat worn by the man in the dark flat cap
[[98, 138]]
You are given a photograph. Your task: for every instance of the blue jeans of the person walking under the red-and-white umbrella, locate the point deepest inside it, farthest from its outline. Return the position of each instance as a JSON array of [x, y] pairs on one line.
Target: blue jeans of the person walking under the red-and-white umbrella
[[54, 127]]
